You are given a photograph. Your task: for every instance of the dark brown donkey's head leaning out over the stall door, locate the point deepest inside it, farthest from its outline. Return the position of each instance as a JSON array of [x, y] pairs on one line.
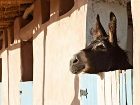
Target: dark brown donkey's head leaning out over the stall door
[[103, 54]]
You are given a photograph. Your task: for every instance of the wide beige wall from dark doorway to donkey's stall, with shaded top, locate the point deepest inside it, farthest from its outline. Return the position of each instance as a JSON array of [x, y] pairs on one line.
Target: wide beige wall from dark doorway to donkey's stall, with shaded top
[[53, 46]]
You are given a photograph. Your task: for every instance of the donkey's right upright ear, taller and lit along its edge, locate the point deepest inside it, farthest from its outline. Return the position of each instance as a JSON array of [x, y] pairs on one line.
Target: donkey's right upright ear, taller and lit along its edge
[[112, 29]]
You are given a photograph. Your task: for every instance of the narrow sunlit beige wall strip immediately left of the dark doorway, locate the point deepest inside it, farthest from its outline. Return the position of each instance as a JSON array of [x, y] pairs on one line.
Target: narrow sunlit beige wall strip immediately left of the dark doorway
[[14, 76]]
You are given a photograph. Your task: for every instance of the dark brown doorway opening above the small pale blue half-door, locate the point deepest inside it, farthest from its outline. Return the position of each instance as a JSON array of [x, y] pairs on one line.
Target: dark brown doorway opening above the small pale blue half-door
[[27, 60]]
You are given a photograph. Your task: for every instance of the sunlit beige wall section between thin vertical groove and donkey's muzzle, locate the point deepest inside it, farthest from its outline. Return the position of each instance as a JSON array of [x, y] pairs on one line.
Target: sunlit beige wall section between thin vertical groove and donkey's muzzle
[[64, 38]]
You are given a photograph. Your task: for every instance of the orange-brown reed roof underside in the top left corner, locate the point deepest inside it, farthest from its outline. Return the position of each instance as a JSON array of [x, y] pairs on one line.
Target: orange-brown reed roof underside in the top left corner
[[10, 12]]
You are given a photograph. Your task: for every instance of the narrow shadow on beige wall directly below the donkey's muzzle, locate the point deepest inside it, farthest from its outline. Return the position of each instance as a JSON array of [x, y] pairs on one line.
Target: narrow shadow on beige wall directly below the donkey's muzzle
[[76, 101]]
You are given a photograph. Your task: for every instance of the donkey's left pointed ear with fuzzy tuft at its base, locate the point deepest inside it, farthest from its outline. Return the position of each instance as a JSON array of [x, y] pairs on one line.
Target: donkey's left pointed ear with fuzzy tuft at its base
[[99, 30]]
